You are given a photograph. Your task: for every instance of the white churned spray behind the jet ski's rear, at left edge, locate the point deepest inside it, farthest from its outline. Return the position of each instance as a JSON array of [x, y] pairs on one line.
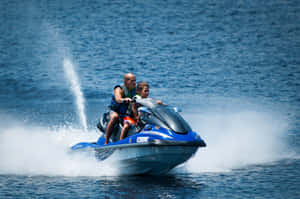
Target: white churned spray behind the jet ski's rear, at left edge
[[26, 150]]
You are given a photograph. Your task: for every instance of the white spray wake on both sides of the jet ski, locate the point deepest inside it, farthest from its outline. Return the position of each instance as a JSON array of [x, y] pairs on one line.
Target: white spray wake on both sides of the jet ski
[[234, 140]]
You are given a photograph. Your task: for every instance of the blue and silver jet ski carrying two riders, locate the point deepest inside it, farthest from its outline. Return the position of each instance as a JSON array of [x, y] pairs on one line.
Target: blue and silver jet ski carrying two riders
[[162, 141]]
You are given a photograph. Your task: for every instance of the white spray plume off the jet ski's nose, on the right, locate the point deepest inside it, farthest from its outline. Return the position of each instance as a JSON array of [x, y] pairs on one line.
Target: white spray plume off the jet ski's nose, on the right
[[236, 140]]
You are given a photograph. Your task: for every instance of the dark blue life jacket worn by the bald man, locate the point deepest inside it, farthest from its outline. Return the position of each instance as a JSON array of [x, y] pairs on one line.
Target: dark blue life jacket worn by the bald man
[[124, 107]]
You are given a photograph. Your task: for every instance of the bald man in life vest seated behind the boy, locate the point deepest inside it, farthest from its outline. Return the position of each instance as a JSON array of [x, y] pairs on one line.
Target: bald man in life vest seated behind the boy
[[120, 102]]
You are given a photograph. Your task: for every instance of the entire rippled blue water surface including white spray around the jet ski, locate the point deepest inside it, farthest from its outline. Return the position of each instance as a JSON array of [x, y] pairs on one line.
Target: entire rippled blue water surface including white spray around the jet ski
[[233, 67]]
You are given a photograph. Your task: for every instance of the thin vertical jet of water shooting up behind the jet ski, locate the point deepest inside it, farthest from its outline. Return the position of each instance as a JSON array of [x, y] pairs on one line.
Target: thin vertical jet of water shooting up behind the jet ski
[[75, 88]]
